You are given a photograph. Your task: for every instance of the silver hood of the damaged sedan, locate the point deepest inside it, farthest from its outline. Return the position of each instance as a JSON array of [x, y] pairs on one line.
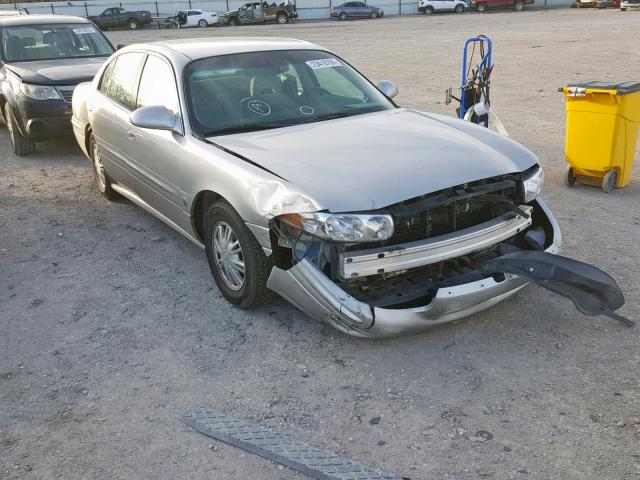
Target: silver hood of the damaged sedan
[[374, 160]]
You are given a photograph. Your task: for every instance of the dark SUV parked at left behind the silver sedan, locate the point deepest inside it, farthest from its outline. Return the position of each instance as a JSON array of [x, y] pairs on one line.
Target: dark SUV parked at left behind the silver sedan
[[43, 58]]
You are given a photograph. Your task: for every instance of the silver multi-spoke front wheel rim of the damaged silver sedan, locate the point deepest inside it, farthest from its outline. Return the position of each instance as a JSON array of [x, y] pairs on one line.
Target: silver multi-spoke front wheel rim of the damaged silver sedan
[[229, 256]]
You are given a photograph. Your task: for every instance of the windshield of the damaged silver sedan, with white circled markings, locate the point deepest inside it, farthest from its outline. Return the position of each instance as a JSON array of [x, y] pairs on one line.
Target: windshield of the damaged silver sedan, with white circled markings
[[261, 90]]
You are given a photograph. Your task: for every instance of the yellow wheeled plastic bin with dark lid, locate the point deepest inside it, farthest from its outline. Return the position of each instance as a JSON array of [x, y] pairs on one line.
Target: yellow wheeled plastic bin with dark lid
[[602, 132]]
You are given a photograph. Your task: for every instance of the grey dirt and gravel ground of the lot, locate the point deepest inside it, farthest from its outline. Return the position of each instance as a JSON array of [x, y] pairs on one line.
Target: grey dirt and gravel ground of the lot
[[111, 327]]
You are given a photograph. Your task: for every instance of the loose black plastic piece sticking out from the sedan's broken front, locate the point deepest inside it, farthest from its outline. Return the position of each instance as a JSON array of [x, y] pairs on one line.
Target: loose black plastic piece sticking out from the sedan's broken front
[[591, 290]]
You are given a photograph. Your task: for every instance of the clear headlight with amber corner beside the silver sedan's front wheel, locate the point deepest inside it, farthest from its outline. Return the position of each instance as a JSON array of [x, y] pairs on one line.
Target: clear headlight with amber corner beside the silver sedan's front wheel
[[343, 227]]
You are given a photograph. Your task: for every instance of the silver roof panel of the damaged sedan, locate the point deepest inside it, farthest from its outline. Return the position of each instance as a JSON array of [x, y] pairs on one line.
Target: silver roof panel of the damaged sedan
[[196, 48]]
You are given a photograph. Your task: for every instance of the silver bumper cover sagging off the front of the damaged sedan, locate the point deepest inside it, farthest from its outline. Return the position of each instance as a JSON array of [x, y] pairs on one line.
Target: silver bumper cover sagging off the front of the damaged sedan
[[311, 291]]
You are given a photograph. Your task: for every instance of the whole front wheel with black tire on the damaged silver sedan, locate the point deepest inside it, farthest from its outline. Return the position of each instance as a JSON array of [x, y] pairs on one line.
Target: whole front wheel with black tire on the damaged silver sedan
[[237, 262]]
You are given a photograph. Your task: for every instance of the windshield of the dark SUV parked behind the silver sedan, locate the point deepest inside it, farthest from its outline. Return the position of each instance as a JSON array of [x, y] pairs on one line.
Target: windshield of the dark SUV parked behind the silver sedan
[[22, 43]]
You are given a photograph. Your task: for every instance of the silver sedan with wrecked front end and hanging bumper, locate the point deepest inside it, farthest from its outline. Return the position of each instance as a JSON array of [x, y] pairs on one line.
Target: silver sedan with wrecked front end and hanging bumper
[[303, 179]]
